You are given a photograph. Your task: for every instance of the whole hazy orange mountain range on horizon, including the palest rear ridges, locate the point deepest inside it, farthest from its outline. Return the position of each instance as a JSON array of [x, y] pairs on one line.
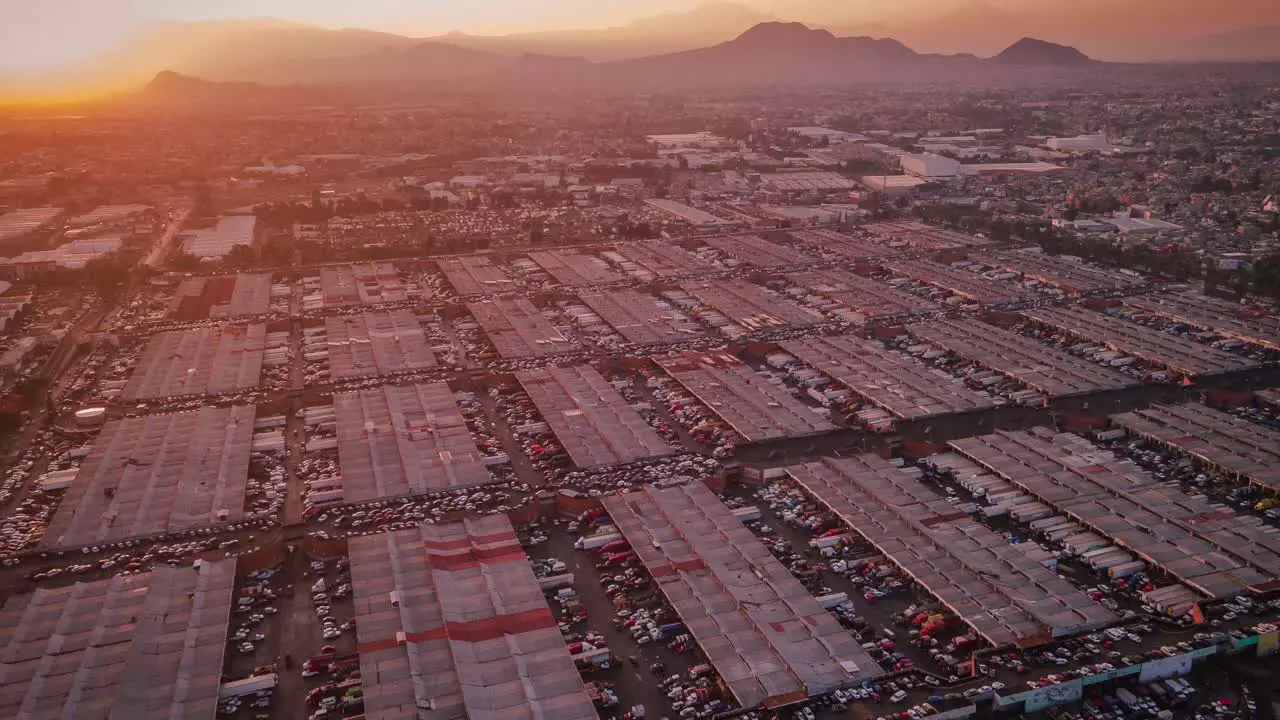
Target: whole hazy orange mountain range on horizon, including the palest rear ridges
[[723, 44]]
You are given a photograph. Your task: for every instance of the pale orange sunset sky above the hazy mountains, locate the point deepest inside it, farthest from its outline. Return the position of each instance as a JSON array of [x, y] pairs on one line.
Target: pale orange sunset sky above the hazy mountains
[[39, 34]]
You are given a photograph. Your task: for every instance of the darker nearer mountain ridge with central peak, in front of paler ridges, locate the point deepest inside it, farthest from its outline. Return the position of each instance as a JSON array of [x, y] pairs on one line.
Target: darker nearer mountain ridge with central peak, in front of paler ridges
[[766, 54]]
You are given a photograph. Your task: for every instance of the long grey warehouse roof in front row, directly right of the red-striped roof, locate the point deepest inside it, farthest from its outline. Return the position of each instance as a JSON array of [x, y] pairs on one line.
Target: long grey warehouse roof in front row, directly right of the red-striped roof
[[770, 641]]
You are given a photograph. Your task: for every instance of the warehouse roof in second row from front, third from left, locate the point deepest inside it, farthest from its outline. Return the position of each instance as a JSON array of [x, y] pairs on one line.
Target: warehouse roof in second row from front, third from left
[[592, 421]]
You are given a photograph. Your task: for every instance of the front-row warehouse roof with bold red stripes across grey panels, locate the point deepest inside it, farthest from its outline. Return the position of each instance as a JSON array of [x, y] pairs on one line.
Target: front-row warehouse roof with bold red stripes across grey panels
[[452, 623]]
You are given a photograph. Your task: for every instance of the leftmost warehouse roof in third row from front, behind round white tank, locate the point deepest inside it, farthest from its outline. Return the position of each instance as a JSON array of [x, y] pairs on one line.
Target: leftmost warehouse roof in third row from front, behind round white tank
[[205, 361]]
